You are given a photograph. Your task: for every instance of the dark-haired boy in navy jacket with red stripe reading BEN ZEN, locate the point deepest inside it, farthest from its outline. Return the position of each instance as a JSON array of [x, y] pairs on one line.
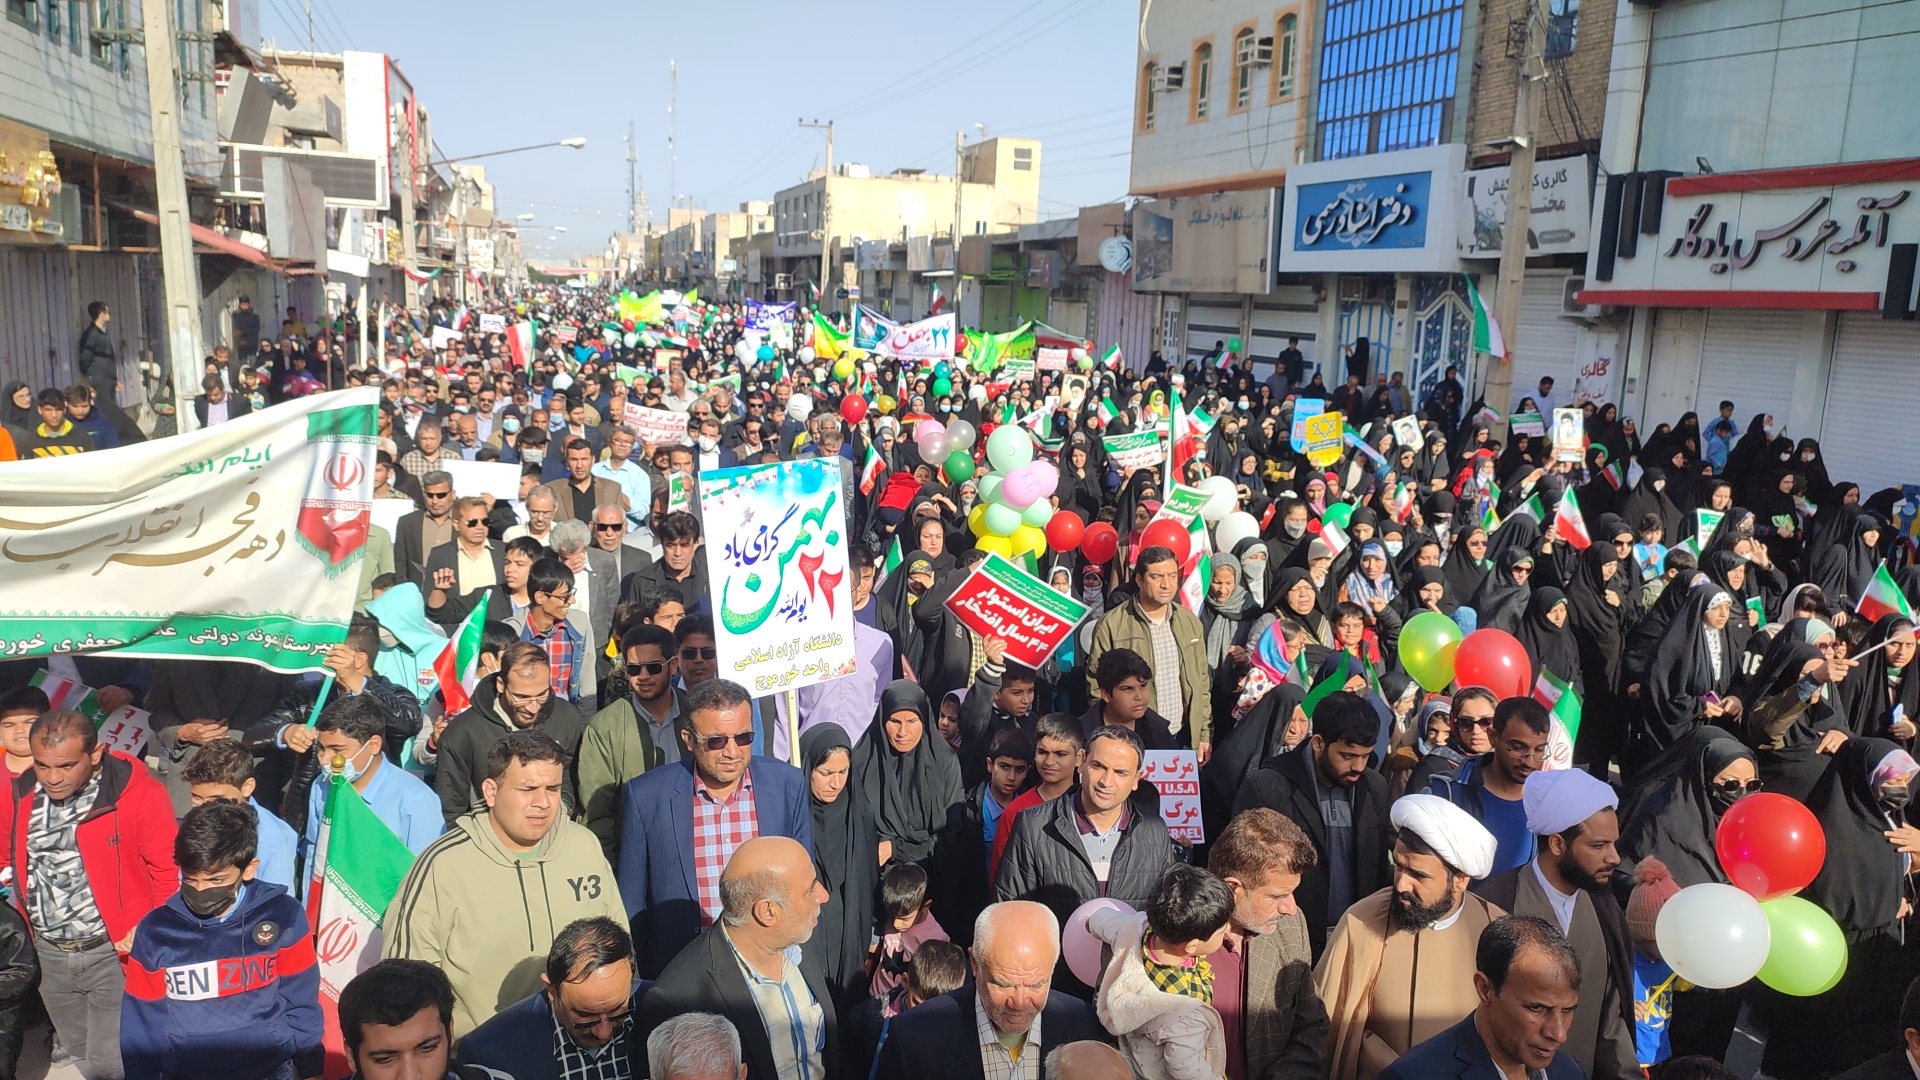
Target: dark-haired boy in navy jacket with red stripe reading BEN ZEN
[[222, 979]]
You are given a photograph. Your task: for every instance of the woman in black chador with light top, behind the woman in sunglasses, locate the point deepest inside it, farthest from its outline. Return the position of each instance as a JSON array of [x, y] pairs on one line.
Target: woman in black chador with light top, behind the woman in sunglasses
[[1692, 675]]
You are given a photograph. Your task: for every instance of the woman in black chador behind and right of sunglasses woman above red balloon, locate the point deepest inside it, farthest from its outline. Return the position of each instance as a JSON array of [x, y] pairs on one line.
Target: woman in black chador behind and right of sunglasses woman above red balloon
[[1794, 716]]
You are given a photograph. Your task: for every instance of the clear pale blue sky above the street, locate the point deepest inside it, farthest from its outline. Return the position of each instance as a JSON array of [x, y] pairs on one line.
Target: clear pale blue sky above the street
[[898, 82]]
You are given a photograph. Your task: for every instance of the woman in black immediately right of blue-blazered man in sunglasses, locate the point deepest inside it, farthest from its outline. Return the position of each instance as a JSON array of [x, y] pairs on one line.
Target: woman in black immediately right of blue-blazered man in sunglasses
[[846, 858]]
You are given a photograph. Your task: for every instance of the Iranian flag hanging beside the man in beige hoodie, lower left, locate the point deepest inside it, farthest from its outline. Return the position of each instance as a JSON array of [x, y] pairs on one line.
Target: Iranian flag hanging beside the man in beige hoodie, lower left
[[358, 870]]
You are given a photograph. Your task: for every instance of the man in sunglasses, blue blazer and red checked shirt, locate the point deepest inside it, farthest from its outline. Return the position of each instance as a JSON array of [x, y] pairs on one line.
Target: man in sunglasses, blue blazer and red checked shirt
[[681, 823]]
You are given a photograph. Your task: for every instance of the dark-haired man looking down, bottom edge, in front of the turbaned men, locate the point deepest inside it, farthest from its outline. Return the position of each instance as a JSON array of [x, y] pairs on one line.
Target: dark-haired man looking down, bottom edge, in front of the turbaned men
[[1529, 985]]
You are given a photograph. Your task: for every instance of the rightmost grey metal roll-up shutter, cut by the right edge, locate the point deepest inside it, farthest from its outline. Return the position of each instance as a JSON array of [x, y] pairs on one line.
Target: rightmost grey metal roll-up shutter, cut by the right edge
[[1869, 405]]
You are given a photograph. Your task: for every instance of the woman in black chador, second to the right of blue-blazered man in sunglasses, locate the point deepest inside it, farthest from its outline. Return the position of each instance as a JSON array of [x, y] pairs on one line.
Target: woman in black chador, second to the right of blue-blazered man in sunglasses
[[909, 773]]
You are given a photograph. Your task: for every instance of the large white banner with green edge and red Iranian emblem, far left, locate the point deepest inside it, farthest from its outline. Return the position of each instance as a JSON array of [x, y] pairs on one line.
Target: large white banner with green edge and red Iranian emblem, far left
[[233, 543]]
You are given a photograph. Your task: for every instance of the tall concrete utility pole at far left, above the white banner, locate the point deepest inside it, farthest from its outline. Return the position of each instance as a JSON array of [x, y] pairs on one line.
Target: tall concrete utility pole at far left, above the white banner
[[180, 274]]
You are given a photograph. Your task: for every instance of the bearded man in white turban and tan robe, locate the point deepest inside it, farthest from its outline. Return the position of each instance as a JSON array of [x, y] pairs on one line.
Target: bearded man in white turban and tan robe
[[1399, 968]]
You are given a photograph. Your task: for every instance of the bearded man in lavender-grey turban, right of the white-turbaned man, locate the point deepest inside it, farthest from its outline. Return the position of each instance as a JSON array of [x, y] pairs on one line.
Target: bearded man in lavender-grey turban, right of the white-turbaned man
[[1568, 883]]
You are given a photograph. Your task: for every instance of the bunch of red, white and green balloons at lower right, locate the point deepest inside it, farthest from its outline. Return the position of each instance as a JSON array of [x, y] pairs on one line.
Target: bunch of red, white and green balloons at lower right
[[1771, 847]]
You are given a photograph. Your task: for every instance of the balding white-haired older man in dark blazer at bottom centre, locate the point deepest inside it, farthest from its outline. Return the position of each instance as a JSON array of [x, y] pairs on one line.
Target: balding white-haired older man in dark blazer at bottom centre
[[1015, 948]]
